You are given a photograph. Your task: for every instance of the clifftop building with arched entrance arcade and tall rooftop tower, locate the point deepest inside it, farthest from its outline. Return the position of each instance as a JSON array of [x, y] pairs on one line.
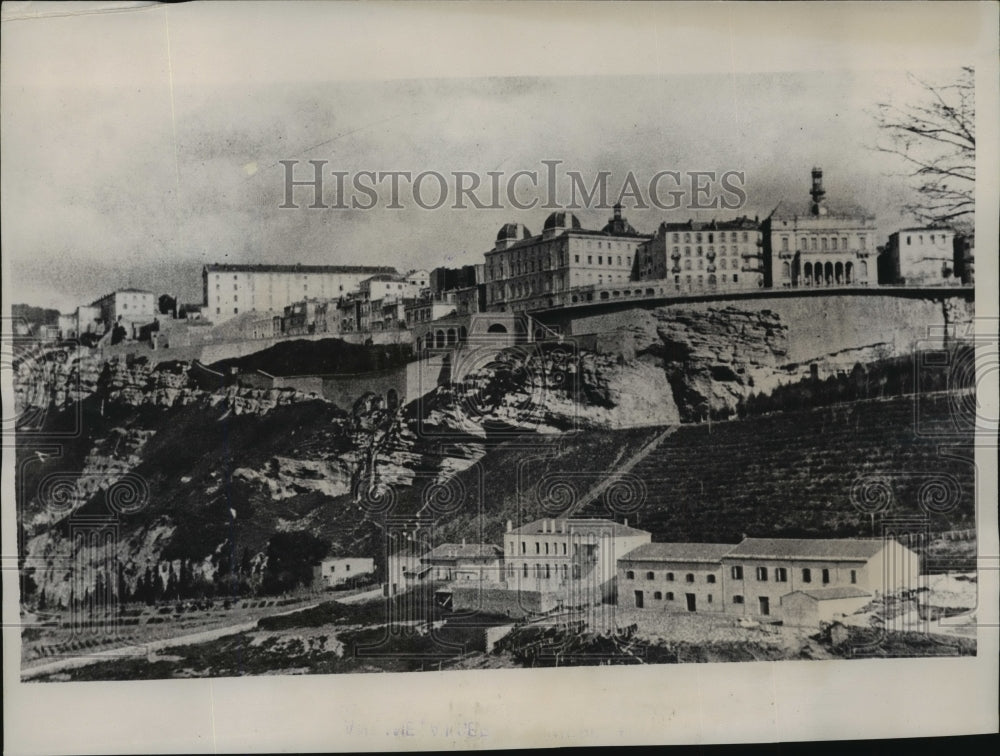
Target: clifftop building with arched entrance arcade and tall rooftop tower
[[816, 245]]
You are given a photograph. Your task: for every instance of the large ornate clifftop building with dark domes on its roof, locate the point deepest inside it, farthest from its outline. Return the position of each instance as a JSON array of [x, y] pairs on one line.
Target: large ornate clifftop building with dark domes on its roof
[[525, 272]]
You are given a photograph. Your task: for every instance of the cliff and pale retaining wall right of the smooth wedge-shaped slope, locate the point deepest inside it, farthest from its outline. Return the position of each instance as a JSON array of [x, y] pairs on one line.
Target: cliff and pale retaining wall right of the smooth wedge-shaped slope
[[714, 355]]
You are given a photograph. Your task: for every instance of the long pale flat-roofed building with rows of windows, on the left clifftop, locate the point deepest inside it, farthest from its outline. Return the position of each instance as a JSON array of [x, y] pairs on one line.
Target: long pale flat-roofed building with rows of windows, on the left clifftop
[[230, 289]]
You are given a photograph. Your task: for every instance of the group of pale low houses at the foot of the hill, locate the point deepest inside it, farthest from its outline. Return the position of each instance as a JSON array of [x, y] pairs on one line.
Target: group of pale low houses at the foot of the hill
[[558, 563]]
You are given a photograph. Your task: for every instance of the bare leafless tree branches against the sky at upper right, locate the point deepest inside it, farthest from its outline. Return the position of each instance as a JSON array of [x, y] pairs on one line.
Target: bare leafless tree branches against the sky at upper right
[[936, 137]]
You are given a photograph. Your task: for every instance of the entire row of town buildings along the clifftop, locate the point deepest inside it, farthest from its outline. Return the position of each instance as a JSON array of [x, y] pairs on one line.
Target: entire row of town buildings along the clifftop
[[799, 244]]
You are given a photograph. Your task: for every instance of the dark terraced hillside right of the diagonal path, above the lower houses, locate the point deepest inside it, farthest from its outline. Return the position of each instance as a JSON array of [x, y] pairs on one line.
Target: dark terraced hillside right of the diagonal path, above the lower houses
[[792, 474]]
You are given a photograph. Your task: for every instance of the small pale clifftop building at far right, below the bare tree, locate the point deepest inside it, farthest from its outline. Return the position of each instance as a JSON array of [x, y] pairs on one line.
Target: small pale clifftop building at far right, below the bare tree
[[915, 256]]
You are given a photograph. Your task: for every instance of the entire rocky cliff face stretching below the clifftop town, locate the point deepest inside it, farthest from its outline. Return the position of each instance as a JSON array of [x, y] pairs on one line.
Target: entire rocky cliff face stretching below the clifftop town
[[225, 470]]
